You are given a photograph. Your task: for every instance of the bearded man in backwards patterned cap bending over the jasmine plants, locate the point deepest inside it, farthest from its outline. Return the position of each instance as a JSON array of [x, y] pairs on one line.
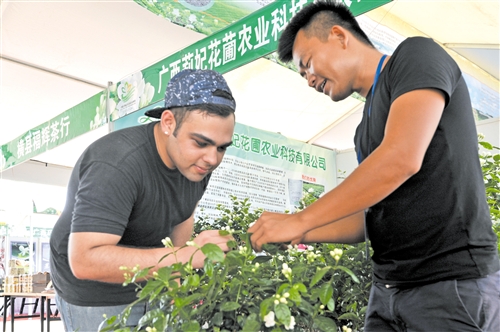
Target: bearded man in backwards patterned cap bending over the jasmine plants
[[133, 188]]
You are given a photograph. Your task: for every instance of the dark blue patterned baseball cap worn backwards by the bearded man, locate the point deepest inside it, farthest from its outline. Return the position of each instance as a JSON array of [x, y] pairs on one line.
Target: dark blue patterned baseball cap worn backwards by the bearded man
[[194, 87]]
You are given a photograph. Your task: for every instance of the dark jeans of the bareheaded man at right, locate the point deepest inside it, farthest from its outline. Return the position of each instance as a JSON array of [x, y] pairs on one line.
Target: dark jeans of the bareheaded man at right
[[445, 306]]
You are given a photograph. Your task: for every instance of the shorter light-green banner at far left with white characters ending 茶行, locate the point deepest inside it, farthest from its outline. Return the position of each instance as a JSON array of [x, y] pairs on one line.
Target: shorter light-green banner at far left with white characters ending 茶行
[[87, 115]]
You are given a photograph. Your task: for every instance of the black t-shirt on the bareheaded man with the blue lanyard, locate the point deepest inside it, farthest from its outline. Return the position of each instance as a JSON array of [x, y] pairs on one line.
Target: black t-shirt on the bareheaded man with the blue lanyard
[[436, 225]]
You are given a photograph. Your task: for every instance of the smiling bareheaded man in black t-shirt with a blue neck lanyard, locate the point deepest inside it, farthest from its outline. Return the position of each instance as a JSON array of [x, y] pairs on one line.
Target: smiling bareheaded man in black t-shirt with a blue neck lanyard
[[419, 178]]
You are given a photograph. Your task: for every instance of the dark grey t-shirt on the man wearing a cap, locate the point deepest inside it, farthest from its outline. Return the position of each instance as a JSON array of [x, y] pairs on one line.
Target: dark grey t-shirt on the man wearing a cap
[[119, 186]]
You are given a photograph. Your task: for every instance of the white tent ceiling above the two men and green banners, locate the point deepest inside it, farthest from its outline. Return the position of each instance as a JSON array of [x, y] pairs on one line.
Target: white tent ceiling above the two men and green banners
[[55, 54]]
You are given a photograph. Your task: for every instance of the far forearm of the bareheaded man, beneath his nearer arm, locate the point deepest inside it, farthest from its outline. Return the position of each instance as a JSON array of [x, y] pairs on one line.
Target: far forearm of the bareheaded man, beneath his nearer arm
[[348, 230]]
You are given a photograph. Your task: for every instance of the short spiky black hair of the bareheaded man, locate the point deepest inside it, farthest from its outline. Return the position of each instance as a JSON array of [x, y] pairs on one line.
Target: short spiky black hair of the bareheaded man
[[316, 19]]
